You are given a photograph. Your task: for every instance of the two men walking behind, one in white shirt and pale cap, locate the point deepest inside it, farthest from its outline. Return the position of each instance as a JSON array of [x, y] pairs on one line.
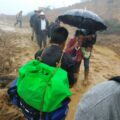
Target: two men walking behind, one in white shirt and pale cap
[[39, 25]]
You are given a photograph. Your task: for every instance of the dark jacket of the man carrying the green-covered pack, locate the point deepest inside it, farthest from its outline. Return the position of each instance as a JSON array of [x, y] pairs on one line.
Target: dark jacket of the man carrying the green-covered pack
[[52, 55]]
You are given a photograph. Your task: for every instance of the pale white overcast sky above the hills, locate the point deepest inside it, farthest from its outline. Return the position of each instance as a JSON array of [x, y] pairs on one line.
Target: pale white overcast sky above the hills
[[14, 6]]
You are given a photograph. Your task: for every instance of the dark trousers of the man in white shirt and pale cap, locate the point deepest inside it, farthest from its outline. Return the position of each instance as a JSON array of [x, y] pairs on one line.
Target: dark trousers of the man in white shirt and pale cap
[[41, 39]]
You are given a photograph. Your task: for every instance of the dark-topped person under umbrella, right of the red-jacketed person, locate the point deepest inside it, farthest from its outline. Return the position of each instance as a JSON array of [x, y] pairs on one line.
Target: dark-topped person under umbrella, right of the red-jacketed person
[[86, 49]]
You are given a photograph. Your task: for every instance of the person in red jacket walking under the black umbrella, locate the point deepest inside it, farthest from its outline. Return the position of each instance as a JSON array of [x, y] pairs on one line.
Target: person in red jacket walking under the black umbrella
[[73, 48]]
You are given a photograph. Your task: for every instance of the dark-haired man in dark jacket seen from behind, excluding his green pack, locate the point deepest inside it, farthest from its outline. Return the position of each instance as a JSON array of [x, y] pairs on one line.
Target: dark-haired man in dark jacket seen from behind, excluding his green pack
[[52, 54]]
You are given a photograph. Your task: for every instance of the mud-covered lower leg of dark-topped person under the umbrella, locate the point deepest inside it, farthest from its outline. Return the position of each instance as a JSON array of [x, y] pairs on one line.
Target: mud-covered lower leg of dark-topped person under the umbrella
[[86, 70]]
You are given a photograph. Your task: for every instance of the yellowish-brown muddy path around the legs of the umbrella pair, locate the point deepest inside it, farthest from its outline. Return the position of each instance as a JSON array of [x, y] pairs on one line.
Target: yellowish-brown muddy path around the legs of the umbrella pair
[[105, 63]]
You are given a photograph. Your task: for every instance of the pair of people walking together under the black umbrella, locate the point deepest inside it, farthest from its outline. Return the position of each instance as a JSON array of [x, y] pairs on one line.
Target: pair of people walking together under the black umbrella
[[80, 48]]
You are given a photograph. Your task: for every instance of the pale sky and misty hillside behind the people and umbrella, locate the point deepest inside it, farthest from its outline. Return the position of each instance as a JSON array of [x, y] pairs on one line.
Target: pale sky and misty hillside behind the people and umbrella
[[109, 10]]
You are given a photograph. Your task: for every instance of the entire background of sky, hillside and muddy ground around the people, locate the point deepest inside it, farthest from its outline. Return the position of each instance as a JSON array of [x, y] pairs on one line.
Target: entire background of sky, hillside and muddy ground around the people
[[16, 46]]
